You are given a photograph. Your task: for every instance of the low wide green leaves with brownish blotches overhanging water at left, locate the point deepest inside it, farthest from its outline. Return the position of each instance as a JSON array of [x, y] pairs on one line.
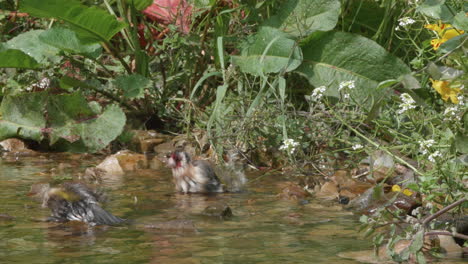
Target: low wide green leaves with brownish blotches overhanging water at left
[[63, 116]]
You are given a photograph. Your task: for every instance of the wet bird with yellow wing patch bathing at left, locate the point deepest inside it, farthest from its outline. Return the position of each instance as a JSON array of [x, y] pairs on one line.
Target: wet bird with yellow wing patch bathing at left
[[74, 202]]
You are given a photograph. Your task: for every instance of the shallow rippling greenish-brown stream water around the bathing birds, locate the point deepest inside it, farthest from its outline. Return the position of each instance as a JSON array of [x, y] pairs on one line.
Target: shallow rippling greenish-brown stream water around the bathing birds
[[264, 229]]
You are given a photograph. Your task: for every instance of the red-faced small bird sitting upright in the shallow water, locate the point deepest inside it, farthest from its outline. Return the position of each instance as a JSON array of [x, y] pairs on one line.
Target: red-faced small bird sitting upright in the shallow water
[[193, 176]]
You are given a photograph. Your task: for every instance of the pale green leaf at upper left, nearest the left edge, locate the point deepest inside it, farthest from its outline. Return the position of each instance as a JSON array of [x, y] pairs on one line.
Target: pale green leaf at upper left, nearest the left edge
[[30, 44]]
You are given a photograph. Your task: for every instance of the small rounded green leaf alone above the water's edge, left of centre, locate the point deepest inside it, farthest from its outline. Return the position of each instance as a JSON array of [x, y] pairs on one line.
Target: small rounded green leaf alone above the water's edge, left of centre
[[132, 86]]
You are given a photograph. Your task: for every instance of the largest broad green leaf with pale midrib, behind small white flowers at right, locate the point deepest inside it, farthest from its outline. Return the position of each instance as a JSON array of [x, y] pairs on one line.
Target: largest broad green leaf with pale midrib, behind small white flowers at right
[[335, 57]]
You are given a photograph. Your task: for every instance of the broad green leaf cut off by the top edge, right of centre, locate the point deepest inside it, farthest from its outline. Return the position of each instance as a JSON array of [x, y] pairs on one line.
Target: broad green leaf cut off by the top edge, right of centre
[[300, 18]]
